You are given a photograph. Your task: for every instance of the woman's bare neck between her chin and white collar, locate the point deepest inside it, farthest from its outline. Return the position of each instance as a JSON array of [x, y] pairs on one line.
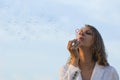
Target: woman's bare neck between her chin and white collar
[[86, 62]]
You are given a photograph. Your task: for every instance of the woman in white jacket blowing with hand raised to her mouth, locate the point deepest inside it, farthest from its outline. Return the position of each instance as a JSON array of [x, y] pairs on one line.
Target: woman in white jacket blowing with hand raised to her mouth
[[87, 58]]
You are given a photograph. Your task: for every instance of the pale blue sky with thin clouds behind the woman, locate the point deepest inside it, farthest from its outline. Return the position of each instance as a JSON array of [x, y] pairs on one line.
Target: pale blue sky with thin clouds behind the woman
[[34, 34]]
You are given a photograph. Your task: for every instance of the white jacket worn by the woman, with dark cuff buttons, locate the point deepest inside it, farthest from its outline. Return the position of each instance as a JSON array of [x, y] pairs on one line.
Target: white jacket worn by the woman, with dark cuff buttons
[[70, 72]]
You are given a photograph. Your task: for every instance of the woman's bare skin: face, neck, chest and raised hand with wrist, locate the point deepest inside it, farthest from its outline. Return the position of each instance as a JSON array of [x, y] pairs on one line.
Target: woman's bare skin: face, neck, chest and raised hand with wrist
[[81, 53]]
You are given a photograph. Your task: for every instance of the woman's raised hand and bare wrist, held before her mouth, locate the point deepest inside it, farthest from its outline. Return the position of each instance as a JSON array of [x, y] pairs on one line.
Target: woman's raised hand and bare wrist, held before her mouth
[[74, 53]]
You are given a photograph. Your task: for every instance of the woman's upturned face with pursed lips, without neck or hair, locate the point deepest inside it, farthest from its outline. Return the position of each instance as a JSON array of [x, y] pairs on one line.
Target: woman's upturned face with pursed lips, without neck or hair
[[85, 36]]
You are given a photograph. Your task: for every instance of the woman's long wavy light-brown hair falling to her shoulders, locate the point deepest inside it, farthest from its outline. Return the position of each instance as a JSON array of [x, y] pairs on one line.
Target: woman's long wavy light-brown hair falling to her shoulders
[[98, 49]]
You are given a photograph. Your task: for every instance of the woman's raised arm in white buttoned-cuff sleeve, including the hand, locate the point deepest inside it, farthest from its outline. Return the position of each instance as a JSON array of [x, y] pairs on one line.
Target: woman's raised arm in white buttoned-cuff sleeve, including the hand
[[71, 71]]
